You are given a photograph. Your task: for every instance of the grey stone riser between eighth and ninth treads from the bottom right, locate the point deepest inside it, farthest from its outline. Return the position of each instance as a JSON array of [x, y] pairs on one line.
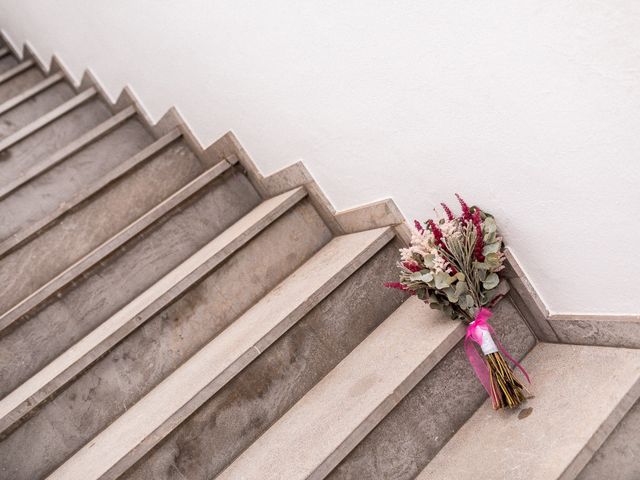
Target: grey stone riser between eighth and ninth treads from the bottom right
[[36, 107]]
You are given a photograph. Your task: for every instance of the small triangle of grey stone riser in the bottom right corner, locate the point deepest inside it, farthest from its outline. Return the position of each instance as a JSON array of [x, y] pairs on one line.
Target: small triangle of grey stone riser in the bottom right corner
[[619, 457]]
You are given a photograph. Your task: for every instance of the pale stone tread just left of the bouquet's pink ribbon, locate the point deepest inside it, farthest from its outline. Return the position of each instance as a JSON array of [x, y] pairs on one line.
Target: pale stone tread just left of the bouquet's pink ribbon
[[318, 432]]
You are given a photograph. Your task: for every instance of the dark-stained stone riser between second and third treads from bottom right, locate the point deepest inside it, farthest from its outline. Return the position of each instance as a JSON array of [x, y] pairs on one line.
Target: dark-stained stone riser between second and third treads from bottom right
[[228, 423]]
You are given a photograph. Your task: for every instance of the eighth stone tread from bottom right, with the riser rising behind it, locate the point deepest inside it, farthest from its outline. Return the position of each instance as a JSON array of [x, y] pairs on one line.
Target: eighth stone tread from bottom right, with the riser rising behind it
[[20, 122]]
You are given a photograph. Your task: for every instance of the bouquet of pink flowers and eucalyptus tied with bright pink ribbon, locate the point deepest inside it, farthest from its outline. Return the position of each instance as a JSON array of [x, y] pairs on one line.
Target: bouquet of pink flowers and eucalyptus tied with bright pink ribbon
[[453, 264]]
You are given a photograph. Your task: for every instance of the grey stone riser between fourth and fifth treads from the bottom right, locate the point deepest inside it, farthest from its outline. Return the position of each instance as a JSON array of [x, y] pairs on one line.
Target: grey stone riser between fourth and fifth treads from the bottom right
[[82, 307]]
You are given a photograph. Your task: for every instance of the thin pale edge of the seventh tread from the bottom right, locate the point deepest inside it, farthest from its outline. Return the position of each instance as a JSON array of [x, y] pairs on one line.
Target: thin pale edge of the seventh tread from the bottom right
[[68, 150]]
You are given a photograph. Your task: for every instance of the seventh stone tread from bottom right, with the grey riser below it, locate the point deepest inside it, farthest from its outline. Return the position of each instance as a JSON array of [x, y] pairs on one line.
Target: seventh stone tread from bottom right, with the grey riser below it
[[39, 191]]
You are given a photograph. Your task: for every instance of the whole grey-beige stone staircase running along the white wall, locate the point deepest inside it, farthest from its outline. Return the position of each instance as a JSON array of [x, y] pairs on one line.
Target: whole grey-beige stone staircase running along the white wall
[[165, 315]]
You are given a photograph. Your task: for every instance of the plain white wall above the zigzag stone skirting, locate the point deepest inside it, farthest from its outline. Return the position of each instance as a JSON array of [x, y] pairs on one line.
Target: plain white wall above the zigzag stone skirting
[[530, 109]]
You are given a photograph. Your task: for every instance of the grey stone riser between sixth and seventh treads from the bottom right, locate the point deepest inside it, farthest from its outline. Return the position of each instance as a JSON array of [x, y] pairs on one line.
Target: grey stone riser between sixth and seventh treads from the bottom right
[[42, 196]]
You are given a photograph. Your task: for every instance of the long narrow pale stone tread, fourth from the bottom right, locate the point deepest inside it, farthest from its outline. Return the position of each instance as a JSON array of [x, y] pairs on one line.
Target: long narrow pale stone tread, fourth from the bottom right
[[132, 316]]
